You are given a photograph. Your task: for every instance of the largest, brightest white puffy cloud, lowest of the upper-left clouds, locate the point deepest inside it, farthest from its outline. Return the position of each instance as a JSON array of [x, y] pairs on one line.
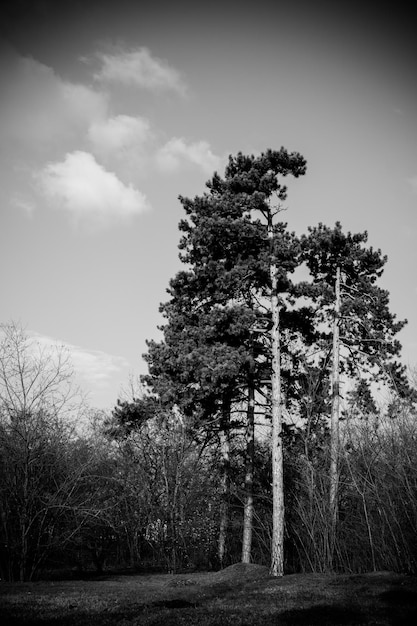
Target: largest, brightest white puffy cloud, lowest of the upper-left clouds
[[85, 189]]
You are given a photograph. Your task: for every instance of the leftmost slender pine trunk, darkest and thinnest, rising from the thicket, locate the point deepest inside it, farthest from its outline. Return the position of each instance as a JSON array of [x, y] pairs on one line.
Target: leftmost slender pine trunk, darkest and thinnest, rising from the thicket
[[225, 482]]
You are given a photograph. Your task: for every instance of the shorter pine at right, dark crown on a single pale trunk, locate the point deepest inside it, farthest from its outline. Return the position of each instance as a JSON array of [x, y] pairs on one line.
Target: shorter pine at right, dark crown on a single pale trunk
[[353, 314]]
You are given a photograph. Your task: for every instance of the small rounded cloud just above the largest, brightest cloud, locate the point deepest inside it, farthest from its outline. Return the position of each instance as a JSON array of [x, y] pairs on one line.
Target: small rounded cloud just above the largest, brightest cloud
[[118, 134]]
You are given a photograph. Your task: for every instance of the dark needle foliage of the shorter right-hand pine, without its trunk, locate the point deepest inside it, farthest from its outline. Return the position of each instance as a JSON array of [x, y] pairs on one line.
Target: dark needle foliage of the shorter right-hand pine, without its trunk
[[367, 327]]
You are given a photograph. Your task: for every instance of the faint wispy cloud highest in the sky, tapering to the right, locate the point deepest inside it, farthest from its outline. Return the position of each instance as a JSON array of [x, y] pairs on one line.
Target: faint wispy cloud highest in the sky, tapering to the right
[[139, 68]]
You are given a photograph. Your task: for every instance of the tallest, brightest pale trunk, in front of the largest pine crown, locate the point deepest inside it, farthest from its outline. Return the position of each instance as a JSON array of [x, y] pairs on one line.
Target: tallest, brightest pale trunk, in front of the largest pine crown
[[277, 547]]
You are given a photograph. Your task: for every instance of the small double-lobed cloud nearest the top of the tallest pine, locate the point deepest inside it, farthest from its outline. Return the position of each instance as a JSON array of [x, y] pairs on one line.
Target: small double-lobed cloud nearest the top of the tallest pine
[[176, 152]]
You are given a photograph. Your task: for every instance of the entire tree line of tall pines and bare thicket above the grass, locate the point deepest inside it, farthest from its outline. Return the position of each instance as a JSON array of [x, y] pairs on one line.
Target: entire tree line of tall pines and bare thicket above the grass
[[262, 326]]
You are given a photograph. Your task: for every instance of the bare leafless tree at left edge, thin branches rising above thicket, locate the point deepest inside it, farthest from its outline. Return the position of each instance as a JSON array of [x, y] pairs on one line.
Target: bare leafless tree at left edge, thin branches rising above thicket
[[36, 395]]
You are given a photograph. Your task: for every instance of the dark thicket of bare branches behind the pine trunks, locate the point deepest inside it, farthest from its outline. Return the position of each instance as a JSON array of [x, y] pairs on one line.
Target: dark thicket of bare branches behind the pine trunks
[[148, 496]]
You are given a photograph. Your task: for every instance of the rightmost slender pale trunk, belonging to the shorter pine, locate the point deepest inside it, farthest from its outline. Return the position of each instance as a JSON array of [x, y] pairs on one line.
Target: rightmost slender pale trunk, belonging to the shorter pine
[[334, 425]]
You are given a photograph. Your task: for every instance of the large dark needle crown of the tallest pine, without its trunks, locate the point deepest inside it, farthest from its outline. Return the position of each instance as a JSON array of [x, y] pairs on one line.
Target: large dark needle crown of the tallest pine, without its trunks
[[219, 300]]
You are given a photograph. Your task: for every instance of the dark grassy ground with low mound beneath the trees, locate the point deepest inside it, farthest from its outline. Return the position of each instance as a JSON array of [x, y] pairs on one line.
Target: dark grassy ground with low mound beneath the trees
[[241, 595]]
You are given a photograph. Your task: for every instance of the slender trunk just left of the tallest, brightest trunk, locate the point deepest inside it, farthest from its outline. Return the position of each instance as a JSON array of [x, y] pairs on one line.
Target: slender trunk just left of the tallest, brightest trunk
[[250, 452]]
